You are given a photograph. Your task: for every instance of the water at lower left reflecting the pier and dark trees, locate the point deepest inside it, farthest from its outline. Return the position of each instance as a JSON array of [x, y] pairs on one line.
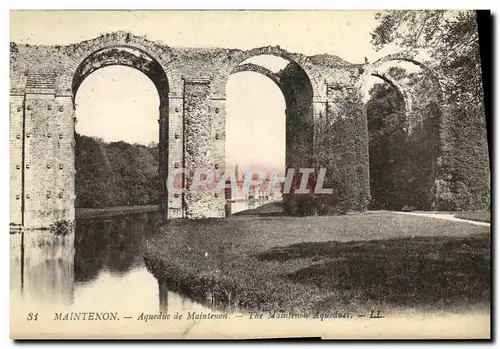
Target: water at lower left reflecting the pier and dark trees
[[99, 267]]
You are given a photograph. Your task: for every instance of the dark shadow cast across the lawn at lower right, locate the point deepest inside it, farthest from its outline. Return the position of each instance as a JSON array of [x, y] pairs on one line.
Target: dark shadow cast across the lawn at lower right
[[432, 272]]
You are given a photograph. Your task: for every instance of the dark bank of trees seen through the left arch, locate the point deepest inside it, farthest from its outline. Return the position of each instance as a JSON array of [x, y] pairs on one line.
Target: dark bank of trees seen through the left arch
[[115, 174]]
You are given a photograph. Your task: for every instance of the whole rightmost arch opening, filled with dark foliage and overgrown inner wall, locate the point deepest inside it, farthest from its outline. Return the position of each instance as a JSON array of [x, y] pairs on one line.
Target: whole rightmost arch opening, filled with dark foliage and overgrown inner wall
[[404, 136]]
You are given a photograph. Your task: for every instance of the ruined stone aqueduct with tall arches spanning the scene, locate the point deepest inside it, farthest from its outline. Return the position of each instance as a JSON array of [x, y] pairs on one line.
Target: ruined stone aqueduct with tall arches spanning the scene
[[191, 83]]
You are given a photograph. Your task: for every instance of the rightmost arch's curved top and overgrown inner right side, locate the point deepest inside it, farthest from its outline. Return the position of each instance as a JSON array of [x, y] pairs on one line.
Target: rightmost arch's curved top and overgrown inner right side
[[422, 146]]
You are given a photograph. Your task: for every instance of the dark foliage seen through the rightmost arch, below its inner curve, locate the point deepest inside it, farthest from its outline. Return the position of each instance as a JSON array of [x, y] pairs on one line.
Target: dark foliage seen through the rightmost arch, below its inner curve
[[402, 159]]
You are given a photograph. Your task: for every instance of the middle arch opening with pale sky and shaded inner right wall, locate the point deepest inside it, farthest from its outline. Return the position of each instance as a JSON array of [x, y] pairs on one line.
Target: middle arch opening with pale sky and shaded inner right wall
[[274, 101]]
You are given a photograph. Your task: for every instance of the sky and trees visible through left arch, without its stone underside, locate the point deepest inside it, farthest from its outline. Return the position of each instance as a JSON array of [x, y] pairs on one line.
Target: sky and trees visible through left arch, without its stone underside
[[116, 134]]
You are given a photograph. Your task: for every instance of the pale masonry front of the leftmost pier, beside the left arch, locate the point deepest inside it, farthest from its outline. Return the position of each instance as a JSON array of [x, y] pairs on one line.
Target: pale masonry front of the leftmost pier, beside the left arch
[[49, 160]]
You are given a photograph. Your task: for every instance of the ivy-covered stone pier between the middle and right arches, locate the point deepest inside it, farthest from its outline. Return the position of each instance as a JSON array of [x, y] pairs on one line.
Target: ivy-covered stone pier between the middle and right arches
[[342, 149]]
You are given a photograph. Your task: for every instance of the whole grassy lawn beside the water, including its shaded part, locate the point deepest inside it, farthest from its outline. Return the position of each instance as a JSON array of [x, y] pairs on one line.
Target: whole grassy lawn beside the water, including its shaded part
[[343, 263]]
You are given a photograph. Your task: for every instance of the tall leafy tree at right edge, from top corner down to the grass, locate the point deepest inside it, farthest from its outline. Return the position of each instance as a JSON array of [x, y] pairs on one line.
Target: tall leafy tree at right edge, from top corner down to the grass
[[450, 39]]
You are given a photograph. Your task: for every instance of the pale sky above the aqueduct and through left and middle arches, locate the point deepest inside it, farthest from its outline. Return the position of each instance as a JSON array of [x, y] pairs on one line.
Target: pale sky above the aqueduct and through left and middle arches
[[255, 127]]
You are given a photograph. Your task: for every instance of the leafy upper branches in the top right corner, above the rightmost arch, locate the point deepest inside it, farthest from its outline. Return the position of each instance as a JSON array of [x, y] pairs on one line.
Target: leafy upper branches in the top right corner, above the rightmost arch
[[451, 40]]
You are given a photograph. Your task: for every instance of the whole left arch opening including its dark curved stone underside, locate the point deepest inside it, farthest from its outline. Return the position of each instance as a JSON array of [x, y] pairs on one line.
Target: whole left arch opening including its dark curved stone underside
[[122, 129]]
